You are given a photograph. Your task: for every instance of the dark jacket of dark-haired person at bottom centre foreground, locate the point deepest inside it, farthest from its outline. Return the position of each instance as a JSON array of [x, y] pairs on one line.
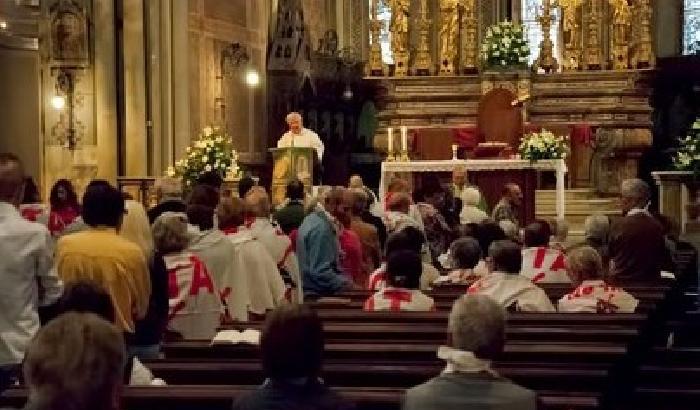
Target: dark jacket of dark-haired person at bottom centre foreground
[[278, 395]]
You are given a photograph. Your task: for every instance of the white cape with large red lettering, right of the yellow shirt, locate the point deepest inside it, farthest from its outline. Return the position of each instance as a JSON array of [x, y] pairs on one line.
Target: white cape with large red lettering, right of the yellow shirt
[[195, 308]]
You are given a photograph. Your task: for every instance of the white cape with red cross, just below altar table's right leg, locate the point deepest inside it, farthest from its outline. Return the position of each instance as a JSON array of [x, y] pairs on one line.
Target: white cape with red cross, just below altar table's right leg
[[544, 265]]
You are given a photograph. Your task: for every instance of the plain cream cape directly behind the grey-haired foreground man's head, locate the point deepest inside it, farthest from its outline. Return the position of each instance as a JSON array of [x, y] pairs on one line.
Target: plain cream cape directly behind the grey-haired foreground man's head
[[513, 291]]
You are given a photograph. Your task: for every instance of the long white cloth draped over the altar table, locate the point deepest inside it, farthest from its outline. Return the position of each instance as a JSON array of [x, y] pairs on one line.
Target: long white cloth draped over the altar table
[[474, 165]]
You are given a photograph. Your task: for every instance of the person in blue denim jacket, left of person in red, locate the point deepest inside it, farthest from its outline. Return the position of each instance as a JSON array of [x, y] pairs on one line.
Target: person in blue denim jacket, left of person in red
[[318, 248]]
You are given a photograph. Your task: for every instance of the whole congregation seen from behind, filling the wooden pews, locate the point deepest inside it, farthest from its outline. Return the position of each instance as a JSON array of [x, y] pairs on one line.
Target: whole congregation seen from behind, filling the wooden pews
[[192, 263]]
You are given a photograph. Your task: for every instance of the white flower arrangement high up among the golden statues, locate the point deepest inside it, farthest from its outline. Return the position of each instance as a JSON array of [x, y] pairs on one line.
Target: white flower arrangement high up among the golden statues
[[505, 46]]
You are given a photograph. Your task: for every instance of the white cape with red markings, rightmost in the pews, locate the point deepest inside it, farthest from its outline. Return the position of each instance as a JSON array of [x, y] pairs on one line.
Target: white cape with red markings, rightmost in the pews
[[595, 296]]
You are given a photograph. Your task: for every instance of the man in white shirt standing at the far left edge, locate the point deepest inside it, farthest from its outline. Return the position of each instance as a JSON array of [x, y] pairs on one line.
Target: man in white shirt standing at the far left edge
[[27, 272]]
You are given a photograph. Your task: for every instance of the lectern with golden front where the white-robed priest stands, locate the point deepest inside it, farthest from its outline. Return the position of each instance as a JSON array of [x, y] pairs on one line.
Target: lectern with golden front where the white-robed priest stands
[[289, 164]]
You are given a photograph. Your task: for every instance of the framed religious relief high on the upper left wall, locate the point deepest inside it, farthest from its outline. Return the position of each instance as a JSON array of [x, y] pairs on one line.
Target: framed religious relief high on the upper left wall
[[68, 34]]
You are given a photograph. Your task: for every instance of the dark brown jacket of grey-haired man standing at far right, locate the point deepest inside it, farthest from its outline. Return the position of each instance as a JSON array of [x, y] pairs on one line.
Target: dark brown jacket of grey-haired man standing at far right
[[637, 249]]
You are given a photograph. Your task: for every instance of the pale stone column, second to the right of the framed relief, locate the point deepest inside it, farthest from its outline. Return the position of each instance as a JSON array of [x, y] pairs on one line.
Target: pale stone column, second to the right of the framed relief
[[135, 136]]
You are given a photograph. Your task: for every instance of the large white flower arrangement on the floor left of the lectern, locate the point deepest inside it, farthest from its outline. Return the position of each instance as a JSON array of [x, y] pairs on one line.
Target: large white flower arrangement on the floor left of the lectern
[[212, 151]]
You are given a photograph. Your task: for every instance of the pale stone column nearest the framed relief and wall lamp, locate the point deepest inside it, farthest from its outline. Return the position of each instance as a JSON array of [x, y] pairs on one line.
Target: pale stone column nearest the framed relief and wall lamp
[[105, 91]]
